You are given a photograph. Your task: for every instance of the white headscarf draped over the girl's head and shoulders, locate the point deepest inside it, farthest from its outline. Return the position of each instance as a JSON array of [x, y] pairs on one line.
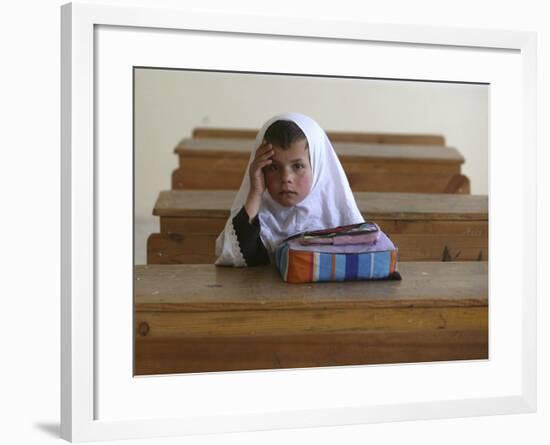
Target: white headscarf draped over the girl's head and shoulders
[[330, 202]]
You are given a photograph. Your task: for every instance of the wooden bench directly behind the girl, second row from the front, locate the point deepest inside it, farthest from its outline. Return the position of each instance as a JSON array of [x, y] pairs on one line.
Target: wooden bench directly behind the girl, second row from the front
[[425, 227]]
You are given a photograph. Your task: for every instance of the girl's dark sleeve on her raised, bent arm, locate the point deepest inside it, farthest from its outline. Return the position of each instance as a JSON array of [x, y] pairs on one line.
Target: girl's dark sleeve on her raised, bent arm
[[248, 235]]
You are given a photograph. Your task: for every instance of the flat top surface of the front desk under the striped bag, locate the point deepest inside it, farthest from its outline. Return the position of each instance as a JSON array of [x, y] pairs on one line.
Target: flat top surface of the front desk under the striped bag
[[204, 286]]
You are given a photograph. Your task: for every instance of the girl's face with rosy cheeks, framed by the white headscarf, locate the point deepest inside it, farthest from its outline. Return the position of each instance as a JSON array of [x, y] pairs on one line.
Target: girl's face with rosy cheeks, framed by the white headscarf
[[289, 177]]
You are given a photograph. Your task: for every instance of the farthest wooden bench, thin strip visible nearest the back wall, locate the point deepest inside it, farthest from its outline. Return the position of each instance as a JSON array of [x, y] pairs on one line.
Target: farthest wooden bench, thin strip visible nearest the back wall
[[334, 136]]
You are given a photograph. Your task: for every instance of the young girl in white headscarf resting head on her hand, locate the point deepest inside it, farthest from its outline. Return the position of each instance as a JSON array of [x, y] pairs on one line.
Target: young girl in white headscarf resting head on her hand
[[294, 182]]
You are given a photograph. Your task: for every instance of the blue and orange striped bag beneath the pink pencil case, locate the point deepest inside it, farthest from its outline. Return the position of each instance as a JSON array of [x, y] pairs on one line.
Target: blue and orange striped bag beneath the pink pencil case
[[298, 262]]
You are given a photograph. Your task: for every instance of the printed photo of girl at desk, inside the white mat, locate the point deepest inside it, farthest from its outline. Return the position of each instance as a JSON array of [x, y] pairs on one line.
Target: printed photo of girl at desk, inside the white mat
[[425, 193]]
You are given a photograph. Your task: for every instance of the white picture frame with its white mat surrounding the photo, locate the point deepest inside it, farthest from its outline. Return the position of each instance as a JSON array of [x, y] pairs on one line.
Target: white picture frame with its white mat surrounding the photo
[[105, 50]]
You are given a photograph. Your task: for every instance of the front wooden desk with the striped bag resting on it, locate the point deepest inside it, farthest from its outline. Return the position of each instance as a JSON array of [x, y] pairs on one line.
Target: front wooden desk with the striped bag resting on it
[[199, 318]]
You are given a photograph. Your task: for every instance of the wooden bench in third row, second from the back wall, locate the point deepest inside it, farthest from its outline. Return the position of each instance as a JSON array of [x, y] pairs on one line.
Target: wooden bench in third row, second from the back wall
[[218, 163]]
